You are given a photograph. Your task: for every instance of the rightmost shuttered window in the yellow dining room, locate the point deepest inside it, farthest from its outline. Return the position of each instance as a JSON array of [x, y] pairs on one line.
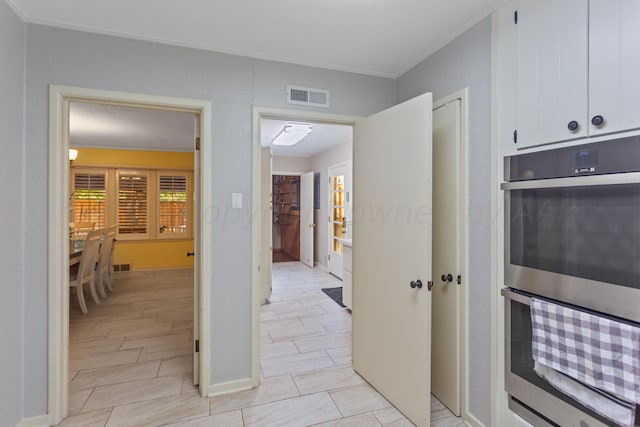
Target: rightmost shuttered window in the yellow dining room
[[173, 207]]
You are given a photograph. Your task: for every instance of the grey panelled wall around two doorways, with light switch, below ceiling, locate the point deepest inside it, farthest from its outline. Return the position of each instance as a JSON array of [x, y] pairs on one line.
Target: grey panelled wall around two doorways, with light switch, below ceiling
[[234, 85]]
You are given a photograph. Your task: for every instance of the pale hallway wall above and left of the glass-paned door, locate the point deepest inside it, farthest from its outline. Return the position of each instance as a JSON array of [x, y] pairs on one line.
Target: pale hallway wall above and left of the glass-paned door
[[321, 163]]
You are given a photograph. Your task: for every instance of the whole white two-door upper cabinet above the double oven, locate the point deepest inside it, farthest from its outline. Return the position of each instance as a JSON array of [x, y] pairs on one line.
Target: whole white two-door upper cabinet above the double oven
[[578, 63]]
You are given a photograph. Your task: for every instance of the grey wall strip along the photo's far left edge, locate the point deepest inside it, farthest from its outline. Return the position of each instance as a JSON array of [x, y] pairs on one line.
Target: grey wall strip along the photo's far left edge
[[11, 217]]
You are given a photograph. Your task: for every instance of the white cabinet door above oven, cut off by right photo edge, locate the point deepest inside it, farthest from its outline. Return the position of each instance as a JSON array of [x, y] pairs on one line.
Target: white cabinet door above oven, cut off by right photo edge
[[614, 65]]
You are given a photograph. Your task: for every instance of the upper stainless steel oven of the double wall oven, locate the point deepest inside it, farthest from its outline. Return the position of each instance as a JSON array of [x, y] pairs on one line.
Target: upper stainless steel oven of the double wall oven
[[572, 225]]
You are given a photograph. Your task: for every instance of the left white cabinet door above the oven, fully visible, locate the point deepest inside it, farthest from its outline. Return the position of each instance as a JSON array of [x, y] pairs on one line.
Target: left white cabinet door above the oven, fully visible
[[552, 70]]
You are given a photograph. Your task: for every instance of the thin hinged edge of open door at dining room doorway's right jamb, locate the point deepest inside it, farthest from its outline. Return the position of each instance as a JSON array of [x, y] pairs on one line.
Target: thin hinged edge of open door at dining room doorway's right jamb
[[196, 252]]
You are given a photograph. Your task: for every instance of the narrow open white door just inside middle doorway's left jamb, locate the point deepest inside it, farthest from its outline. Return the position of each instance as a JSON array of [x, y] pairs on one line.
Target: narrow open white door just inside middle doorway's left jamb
[[266, 224]]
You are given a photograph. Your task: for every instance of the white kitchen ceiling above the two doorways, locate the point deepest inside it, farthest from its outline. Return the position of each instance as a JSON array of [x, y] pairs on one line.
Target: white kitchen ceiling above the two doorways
[[377, 37]]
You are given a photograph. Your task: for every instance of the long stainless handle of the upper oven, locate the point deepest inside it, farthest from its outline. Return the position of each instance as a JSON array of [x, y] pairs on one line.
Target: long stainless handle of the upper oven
[[574, 181]]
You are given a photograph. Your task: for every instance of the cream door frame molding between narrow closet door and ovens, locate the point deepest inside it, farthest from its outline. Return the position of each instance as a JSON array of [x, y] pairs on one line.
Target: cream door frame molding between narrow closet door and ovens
[[463, 96]]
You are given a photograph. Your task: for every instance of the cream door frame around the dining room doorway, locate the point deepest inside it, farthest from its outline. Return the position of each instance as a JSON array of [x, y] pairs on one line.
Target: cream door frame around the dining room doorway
[[58, 216]]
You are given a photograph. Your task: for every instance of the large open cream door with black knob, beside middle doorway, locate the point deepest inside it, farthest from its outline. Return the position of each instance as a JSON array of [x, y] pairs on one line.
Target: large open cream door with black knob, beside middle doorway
[[392, 160]]
